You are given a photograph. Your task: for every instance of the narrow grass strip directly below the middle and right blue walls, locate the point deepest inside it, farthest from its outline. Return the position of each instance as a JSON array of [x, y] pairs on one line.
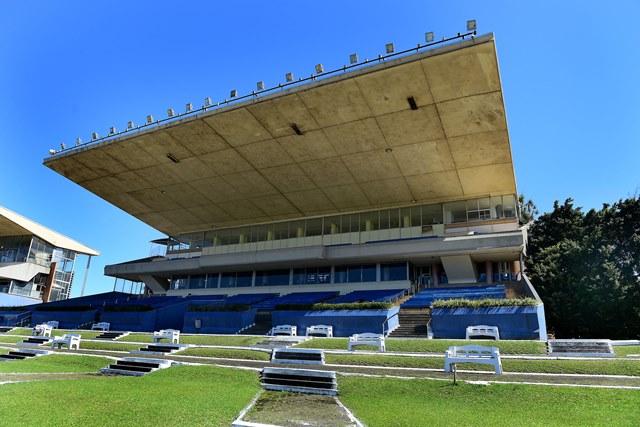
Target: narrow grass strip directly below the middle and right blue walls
[[432, 346]]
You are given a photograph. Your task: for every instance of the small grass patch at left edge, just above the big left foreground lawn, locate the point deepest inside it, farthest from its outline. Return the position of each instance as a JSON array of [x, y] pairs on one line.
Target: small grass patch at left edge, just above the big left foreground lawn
[[55, 363]]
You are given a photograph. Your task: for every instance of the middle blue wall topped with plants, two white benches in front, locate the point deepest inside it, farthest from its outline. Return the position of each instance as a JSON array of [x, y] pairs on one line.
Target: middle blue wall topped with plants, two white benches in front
[[345, 322]]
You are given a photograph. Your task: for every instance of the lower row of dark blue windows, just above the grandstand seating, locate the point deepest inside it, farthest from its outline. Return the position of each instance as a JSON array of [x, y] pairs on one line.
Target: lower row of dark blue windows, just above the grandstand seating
[[294, 276]]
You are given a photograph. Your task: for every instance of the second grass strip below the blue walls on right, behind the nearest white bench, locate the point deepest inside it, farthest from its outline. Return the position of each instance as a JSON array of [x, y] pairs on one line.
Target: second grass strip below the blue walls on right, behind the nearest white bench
[[552, 366]]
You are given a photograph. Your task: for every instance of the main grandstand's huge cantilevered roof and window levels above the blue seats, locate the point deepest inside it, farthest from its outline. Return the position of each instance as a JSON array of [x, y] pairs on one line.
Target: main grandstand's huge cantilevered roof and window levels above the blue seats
[[394, 174]]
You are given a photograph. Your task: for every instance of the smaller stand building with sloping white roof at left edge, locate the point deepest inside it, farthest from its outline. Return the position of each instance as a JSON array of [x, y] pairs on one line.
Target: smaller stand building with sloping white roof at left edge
[[36, 263]]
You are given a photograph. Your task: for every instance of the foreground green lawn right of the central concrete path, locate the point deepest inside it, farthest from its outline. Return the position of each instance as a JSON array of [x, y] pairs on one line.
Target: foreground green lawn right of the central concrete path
[[395, 402]]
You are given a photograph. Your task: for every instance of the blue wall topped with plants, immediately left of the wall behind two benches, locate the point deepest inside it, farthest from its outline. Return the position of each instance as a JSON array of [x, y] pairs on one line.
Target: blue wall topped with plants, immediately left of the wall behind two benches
[[218, 322]]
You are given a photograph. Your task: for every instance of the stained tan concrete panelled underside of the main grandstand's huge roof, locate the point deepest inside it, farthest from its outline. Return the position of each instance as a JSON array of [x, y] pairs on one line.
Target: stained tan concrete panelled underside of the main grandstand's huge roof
[[244, 163]]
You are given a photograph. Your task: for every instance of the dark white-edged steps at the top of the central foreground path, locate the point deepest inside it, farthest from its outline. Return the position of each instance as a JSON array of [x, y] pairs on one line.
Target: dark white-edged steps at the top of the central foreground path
[[299, 381]]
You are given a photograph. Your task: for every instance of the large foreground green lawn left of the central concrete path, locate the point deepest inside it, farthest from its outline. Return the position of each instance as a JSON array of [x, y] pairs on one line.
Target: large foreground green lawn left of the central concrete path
[[184, 396]]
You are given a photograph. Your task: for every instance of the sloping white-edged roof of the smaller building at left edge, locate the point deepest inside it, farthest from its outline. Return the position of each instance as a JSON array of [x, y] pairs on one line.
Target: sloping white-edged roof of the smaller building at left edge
[[13, 224]]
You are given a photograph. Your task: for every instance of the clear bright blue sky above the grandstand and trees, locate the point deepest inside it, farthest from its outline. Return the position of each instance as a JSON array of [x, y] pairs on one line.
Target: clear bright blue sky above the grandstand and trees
[[569, 72]]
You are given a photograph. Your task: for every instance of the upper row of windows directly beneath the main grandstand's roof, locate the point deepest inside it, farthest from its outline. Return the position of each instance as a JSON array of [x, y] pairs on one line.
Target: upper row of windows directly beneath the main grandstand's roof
[[484, 209]]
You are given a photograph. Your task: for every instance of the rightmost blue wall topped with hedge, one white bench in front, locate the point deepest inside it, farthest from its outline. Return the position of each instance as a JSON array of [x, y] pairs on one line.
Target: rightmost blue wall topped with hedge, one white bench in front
[[514, 323]]
